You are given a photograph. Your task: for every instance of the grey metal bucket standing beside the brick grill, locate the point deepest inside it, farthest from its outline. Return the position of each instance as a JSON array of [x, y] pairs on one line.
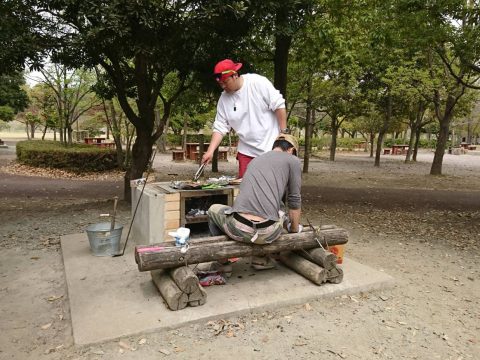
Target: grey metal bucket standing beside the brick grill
[[104, 242]]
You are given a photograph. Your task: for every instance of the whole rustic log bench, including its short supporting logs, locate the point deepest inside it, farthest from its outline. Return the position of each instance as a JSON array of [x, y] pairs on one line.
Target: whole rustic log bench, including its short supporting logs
[[180, 287]]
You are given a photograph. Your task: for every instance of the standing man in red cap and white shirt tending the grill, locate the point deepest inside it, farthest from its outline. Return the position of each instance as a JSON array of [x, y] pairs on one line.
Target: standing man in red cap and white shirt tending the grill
[[251, 106]]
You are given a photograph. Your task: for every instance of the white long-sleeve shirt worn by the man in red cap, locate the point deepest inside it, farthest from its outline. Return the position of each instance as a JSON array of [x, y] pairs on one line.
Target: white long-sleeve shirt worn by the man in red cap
[[250, 111]]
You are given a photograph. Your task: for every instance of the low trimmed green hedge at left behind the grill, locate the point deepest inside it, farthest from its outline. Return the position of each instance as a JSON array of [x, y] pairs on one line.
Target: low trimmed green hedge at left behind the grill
[[78, 157]]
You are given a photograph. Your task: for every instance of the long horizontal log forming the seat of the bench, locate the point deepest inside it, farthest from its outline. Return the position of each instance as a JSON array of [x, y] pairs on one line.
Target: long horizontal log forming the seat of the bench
[[167, 255]]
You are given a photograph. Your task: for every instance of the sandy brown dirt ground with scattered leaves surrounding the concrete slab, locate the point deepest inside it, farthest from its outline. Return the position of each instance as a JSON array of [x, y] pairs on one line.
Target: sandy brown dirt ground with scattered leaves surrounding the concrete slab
[[422, 230]]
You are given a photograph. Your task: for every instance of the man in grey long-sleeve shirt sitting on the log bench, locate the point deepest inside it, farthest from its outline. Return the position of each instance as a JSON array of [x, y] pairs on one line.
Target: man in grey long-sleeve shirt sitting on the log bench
[[256, 216]]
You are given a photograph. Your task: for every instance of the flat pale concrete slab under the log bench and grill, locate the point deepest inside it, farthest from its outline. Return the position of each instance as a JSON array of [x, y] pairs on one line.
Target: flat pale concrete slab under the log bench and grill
[[110, 298]]
